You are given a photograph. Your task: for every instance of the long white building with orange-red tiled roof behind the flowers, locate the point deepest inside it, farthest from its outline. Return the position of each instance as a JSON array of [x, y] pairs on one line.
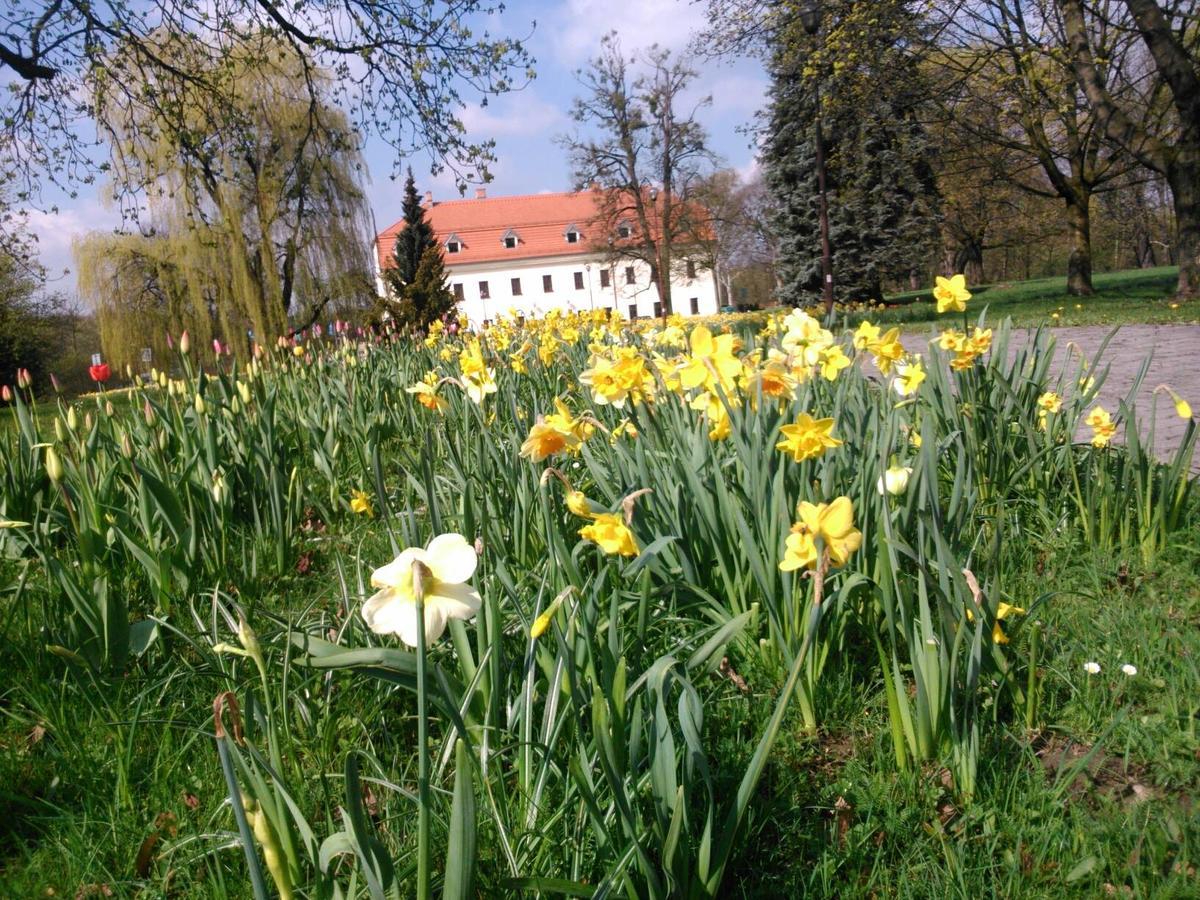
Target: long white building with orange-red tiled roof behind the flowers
[[530, 255]]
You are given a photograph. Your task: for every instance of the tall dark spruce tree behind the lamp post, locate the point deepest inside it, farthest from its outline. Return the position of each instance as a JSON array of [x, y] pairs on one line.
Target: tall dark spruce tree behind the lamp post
[[880, 182]]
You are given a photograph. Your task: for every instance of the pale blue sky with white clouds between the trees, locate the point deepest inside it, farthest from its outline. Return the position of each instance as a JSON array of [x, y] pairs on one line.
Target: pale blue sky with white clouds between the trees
[[524, 124]]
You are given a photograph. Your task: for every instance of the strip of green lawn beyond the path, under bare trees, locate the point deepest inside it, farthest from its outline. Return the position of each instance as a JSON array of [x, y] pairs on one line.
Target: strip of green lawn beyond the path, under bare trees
[[1130, 297]]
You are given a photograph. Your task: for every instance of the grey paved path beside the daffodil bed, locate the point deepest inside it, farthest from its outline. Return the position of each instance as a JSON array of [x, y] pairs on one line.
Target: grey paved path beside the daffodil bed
[[1175, 361]]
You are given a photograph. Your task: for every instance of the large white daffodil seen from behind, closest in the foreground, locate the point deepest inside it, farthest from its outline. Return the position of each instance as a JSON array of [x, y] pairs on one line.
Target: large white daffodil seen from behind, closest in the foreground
[[447, 563]]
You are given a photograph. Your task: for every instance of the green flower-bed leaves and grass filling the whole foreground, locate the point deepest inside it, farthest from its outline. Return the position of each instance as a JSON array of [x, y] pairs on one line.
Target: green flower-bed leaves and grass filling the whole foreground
[[649, 741]]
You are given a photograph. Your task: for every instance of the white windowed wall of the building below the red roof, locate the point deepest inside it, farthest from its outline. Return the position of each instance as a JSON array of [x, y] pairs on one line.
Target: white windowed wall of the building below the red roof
[[691, 297]]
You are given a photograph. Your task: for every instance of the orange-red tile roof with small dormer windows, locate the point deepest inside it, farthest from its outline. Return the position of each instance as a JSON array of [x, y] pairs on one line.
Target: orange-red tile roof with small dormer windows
[[541, 223]]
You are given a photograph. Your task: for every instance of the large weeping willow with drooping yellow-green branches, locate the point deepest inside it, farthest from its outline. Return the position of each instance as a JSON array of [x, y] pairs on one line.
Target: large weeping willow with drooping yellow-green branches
[[247, 203]]
